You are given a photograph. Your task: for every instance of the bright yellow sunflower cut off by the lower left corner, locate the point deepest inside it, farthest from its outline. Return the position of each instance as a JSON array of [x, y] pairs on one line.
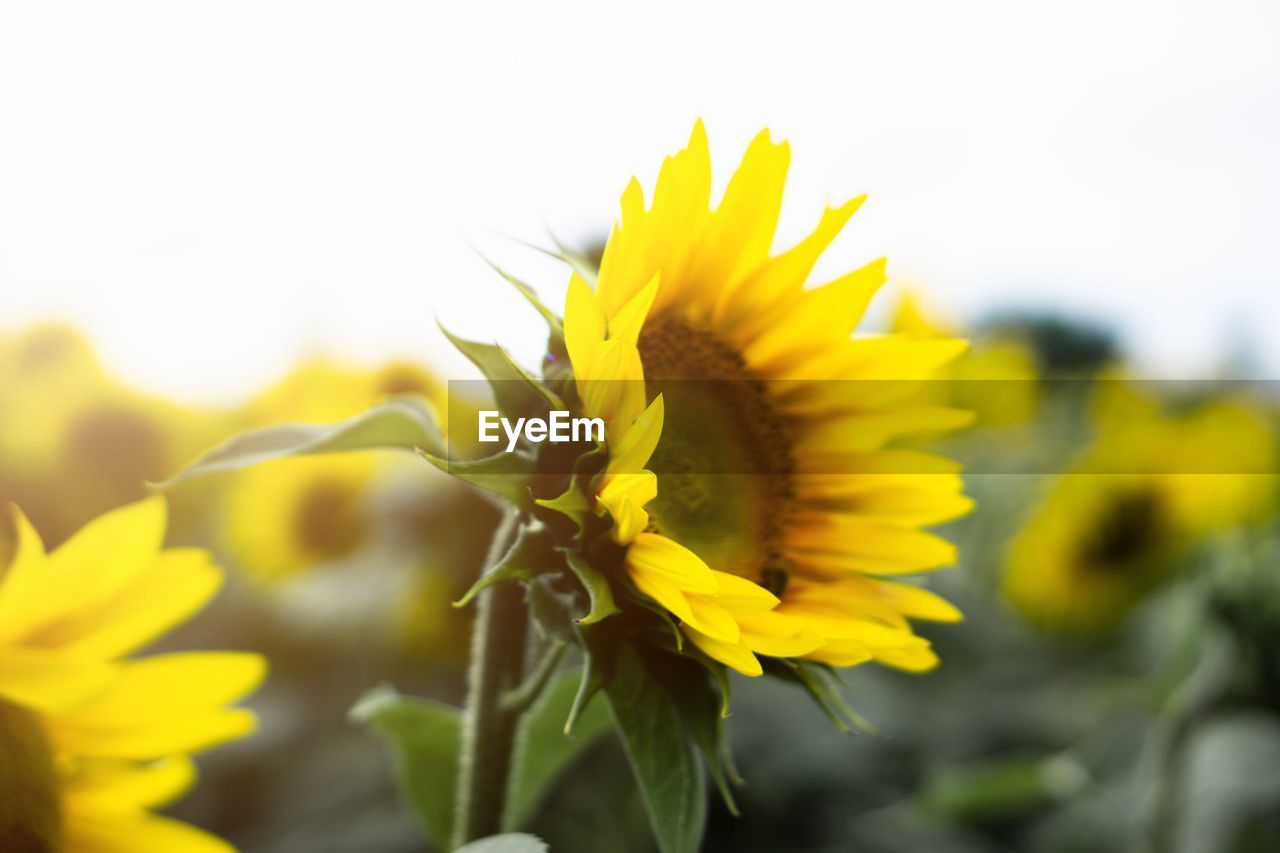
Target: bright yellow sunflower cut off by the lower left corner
[[90, 740]]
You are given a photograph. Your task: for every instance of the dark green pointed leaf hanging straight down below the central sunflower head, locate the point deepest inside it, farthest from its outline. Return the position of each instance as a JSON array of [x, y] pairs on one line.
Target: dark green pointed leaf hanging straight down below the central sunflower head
[[671, 777]]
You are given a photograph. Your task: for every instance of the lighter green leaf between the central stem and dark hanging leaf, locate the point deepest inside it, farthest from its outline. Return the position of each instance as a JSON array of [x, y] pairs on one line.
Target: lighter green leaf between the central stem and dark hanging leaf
[[543, 751]]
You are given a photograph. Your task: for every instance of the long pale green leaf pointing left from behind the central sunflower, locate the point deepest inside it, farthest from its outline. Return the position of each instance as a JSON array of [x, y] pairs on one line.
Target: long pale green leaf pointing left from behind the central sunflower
[[401, 423]]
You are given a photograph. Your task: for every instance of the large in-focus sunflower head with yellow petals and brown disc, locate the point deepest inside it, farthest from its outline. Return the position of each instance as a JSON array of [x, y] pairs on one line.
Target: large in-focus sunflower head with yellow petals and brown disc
[[778, 518]]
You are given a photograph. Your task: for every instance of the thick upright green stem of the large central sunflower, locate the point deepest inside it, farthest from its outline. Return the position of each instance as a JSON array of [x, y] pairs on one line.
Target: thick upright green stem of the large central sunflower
[[490, 728]]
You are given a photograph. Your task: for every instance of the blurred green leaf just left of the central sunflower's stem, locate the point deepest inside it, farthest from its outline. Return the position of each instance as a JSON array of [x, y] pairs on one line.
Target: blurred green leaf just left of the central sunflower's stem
[[424, 741]]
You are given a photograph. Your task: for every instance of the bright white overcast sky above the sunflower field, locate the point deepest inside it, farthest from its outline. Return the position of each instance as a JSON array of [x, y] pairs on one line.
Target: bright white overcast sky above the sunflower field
[[212, 190]]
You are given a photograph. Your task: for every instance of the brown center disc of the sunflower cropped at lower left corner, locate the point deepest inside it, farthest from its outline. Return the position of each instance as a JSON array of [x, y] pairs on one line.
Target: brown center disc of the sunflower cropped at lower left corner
[[31, 815]]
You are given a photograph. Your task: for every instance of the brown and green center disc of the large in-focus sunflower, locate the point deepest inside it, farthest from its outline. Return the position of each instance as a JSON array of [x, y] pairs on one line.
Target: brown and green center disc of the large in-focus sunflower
[[724, 463]]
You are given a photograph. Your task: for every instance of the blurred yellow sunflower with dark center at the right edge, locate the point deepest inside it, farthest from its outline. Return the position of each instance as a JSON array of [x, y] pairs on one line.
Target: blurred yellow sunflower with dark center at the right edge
[[1117, 526]]
